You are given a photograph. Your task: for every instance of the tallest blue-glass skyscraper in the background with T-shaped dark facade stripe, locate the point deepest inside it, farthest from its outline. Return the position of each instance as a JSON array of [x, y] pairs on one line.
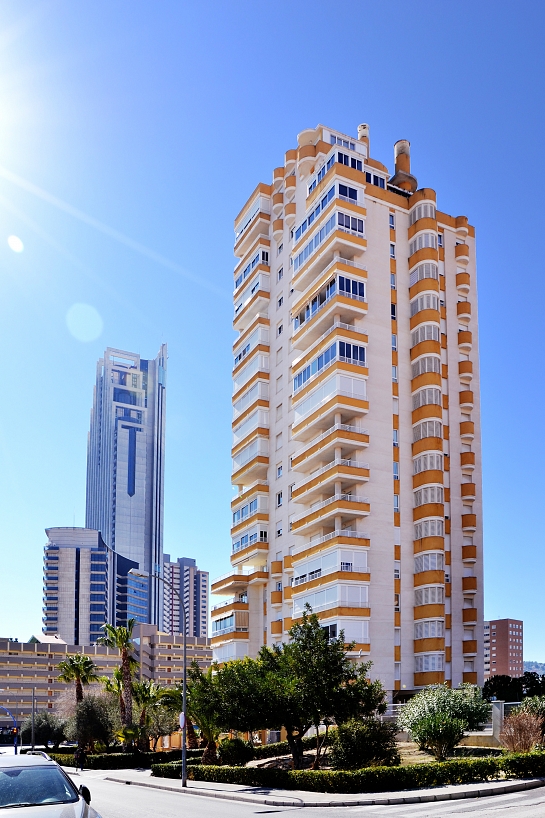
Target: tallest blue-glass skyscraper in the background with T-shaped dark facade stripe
[[125, 464]]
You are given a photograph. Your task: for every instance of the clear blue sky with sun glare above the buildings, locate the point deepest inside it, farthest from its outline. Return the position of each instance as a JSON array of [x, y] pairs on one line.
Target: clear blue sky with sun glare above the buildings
[[157, 119]]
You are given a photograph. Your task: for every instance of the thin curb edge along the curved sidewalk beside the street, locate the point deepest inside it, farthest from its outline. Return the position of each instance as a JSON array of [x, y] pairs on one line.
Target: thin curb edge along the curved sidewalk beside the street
[[411, 798]]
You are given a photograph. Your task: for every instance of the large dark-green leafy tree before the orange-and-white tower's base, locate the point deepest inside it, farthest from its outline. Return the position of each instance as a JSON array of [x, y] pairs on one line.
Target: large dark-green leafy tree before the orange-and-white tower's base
[[311, 680]]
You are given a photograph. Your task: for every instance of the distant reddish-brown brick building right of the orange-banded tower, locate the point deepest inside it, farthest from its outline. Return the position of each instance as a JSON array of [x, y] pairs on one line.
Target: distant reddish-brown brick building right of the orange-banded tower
[[503, 647]]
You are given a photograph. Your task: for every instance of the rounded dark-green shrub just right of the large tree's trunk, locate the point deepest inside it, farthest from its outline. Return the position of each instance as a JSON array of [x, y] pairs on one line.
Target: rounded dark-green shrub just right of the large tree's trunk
[[367, 743]]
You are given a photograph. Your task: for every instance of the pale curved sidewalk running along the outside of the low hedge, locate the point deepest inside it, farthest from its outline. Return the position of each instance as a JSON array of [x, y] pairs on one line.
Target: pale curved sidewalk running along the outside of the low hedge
[[297, 798]]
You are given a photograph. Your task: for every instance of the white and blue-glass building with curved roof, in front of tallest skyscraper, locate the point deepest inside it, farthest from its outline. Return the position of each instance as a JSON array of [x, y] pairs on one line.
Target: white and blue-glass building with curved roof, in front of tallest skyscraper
[[80, 576]]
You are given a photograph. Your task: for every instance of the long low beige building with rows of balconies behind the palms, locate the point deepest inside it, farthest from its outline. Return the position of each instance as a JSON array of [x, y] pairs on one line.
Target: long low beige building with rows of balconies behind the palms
[[28, 666]]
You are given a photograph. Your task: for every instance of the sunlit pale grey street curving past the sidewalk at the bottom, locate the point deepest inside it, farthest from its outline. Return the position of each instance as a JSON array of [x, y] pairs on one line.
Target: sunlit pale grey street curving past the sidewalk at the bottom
[[114, 800]]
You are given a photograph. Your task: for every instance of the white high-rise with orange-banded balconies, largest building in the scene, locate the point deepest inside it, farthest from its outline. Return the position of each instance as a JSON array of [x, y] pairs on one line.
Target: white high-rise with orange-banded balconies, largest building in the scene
[[356, 437]]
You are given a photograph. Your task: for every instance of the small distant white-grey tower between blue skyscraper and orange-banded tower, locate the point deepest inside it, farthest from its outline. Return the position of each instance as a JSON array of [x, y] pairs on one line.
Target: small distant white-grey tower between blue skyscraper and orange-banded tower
[[192, 586]]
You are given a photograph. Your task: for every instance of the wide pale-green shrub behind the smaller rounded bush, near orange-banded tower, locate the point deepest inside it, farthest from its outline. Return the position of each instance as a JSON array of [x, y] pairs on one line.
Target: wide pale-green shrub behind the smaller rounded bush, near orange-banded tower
[[465, 702]]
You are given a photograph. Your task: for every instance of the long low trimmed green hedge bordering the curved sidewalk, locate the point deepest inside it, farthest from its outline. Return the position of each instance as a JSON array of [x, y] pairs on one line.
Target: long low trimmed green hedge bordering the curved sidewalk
[[371, 779]]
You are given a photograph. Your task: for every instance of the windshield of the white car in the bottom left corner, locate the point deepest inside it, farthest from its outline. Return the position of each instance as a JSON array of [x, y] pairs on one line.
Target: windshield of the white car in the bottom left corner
[[25, 786]]
